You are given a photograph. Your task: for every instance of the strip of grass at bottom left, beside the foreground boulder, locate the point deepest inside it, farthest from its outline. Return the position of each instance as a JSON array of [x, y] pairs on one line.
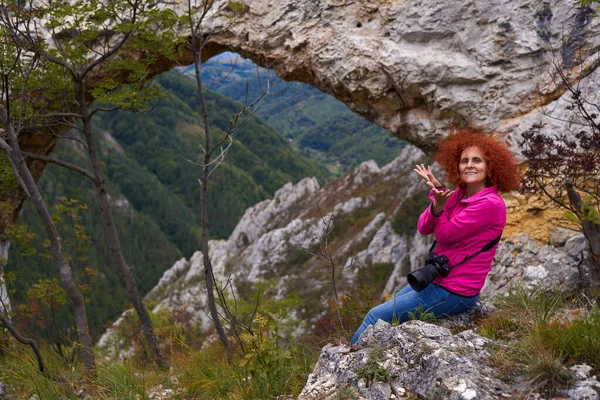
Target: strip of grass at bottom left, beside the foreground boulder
[[205, 373]]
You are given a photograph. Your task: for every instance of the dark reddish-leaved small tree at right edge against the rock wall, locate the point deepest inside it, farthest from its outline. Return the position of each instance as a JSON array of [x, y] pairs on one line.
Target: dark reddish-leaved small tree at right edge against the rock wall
[[565, 165]]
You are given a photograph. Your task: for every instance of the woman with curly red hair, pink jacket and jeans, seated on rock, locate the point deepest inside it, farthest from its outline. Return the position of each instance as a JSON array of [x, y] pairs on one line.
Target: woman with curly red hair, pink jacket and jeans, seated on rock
[[463, 222]]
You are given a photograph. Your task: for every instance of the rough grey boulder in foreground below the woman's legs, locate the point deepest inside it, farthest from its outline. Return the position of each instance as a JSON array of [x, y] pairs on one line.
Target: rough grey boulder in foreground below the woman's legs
[[420, 359]]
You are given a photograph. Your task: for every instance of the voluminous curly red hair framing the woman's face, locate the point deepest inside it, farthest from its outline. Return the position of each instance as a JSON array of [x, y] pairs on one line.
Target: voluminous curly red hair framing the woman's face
[[503, 171]]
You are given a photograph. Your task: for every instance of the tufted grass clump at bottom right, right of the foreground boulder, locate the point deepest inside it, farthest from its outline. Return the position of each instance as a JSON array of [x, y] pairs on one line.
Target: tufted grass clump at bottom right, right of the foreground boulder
[[538, 339]]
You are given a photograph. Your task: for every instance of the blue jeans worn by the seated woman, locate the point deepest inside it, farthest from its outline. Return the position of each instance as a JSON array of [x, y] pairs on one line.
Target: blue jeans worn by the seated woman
[[433, 299]]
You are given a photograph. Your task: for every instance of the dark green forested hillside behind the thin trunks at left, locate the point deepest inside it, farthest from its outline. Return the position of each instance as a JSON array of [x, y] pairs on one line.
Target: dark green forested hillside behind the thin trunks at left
[[150, 165]]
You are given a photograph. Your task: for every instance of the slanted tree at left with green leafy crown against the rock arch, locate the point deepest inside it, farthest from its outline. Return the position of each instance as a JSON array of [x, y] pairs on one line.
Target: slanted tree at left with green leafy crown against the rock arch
[[84, 37]]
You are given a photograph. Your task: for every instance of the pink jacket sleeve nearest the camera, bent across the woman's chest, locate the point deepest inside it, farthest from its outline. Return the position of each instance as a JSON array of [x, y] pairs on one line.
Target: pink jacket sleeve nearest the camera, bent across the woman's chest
[[474, 219]]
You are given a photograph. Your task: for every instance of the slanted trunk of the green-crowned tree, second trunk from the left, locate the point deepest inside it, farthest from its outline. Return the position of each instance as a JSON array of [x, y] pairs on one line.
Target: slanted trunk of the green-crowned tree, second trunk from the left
[[111, 231]]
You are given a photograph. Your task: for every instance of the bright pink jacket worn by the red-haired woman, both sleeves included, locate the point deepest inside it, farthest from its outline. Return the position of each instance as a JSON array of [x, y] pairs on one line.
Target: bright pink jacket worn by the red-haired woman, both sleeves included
[[463, 228]]
